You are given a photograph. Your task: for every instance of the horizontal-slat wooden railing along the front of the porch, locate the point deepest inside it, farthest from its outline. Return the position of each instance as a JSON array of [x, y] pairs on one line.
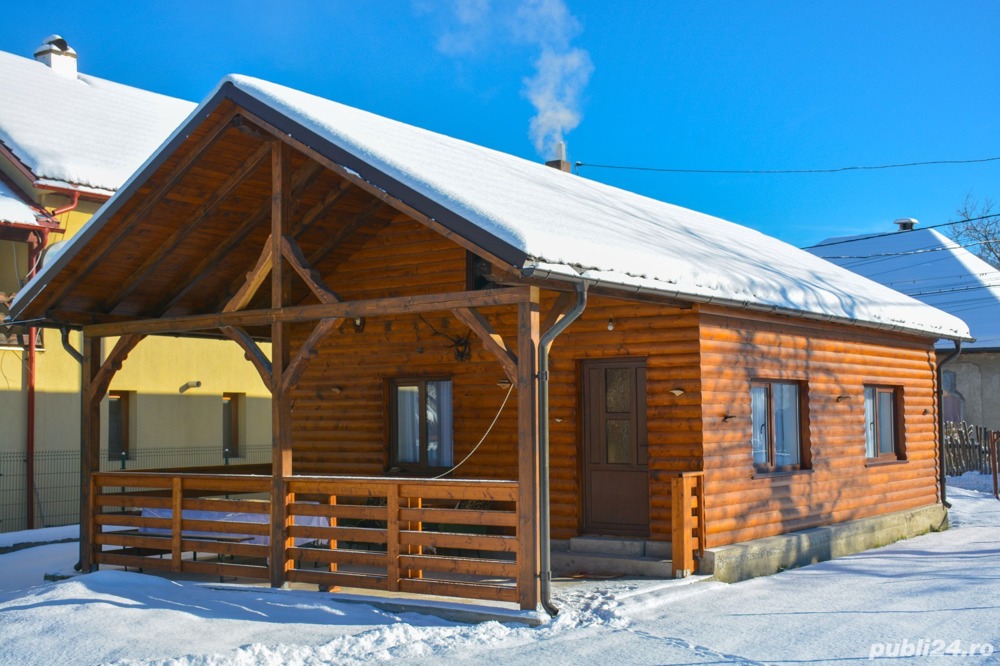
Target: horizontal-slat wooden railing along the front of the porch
[[442, 537]]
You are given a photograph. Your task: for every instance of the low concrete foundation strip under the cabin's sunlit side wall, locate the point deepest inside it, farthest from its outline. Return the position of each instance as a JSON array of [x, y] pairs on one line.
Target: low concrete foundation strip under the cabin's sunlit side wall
[[763, 557]]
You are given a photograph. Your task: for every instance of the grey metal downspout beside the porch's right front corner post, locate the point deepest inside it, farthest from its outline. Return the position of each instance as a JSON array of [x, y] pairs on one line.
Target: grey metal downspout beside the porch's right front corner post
[[545, 545]]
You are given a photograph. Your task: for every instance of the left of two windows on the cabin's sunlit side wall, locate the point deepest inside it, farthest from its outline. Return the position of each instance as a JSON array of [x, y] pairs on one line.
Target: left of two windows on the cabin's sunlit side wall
[[777, 426]]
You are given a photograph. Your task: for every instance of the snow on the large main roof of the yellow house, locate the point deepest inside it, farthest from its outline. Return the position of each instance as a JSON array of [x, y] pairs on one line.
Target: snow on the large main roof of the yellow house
[[84, 131]]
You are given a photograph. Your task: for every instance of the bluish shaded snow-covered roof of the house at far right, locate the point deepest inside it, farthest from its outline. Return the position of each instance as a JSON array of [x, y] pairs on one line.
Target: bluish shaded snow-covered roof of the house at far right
[[931, 267]]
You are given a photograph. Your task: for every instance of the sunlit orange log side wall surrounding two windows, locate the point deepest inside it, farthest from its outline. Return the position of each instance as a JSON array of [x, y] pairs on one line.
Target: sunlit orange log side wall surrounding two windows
[[831, 361]]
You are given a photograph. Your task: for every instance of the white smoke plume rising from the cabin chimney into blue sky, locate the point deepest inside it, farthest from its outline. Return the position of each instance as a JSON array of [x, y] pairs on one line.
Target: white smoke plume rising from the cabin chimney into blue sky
[[562, 71]]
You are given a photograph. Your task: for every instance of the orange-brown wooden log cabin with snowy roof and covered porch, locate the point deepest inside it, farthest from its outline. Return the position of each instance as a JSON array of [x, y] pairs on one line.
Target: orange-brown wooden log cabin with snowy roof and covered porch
[[471, 354]]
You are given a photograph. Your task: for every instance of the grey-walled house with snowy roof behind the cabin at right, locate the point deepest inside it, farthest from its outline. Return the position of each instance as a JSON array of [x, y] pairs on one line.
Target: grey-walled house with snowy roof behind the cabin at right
[[930, 267]]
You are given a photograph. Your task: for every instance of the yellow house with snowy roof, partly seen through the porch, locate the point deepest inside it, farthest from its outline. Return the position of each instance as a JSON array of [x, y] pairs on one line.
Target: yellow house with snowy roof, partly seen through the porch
[[67, 142]]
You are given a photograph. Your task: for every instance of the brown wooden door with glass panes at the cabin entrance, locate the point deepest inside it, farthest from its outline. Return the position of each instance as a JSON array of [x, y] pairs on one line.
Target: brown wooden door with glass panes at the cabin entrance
[[615, 455]]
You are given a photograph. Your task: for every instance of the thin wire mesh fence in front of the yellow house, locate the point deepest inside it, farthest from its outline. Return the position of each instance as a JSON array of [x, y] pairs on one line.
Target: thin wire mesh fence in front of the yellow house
[[57, 479]]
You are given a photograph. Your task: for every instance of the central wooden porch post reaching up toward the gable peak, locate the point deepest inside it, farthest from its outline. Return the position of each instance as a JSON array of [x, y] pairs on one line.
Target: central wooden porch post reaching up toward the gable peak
[[281, 427]]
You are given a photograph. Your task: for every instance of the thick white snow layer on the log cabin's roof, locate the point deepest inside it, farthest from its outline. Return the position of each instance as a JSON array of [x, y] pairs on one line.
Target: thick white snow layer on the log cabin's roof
[[570, 226]]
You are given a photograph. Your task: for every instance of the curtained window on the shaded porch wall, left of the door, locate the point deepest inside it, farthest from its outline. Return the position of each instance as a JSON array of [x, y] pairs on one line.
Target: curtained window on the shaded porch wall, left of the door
[[420, 424]]
